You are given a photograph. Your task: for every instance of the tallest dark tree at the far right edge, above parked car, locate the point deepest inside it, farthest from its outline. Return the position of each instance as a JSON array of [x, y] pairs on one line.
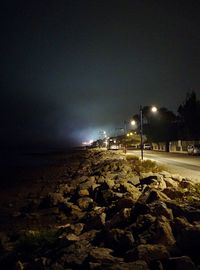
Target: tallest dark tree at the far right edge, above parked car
[[189, 117]]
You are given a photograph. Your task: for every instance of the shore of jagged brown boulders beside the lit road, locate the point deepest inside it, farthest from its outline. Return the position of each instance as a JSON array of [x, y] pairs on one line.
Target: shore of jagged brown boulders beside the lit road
[[104, 210]]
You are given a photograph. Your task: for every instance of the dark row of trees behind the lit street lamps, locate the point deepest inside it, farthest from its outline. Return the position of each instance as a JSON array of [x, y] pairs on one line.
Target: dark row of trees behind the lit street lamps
[[168, 126]]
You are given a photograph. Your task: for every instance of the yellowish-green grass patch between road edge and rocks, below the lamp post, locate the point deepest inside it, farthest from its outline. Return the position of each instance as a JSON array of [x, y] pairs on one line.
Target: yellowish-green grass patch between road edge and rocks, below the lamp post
[[143, 166]]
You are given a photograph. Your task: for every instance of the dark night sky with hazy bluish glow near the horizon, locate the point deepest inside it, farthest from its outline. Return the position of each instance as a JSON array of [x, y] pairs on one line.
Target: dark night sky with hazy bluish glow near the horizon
[[72, 68]]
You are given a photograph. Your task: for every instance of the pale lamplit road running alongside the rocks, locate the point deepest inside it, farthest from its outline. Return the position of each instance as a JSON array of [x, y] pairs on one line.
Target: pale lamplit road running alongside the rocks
[[183, 164]]
